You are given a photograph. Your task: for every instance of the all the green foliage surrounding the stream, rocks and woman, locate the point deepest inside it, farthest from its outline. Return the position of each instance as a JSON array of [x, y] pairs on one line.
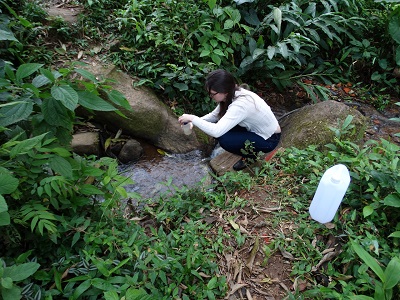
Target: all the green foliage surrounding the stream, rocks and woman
[[63, 231]]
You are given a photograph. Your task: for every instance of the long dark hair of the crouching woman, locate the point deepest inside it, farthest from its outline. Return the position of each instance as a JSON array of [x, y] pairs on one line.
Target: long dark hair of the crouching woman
[[222, 81]]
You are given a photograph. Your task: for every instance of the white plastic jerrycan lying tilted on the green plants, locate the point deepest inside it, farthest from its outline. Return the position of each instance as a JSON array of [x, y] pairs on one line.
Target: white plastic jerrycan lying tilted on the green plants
[[329, 194]]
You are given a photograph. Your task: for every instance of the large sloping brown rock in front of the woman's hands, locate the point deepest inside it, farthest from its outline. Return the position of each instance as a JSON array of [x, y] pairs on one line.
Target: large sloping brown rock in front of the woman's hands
[[149, 119]]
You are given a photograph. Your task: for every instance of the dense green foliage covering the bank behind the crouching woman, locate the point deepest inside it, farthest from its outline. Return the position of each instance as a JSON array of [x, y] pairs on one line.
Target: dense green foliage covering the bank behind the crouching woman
[[172, 44]]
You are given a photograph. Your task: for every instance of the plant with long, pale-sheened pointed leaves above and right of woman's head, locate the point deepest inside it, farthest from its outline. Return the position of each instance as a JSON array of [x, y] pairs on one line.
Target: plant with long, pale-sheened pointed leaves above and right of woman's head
[[296, 33]]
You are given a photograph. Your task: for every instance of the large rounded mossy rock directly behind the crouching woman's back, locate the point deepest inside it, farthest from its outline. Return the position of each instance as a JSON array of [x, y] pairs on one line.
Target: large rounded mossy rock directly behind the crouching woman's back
[[310, 125]]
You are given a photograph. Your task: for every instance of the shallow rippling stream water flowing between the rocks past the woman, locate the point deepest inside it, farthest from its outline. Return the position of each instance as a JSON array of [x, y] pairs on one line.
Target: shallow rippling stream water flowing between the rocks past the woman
[[156, 174]]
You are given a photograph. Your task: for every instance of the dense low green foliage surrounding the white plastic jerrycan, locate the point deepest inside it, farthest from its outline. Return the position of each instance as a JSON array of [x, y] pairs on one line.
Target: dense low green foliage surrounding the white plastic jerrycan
[[367, 226]]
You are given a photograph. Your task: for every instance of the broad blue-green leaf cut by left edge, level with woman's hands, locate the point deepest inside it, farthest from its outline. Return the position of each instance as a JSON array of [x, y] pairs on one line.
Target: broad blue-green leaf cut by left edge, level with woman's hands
[[16, 111]]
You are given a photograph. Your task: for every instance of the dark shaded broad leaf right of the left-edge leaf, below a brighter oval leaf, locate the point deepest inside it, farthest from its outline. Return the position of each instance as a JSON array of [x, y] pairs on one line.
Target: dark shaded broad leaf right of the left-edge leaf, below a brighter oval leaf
[[56, 114]]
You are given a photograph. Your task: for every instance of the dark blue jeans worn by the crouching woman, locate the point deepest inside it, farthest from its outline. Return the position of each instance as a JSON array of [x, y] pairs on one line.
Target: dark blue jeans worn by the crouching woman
[[235, 140]]
